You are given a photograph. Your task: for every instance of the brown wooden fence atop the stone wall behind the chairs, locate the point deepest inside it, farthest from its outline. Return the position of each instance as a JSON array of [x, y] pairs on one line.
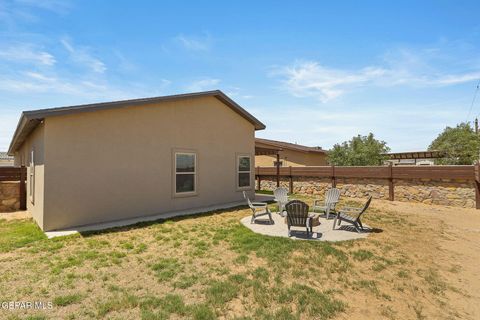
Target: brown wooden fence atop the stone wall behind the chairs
[[390, 173]]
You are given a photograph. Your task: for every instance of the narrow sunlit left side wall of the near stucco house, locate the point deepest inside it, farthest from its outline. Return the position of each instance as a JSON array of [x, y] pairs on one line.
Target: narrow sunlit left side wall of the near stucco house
[[35, 142]]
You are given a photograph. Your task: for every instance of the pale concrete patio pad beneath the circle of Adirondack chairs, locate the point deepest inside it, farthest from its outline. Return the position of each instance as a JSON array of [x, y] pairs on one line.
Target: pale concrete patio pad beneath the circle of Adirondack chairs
[[323, 232]]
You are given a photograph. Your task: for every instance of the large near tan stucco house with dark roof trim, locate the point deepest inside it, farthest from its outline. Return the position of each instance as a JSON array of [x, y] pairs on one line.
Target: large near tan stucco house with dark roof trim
[[88, 164]]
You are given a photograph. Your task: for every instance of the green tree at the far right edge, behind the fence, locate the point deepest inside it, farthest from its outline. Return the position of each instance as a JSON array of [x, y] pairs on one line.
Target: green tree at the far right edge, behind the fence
[[460, 144]]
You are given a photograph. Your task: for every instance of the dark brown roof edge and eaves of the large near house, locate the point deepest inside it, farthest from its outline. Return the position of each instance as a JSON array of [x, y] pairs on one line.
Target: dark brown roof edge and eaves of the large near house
[[29, 120]]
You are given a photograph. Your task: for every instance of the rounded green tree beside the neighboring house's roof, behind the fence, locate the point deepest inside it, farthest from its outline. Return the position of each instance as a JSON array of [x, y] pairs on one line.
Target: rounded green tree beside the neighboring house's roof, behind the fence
[[360, 151]]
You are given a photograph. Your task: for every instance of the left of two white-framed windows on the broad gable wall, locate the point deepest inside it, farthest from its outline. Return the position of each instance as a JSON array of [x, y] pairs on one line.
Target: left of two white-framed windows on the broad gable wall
[[185, 173]]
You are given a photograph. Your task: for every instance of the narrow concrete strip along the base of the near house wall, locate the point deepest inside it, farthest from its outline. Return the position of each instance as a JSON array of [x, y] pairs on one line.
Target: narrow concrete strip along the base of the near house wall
[[127, 222]]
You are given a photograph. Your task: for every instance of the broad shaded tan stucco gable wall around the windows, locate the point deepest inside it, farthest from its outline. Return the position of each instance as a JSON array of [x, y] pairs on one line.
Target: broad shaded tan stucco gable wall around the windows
[[116, 164]]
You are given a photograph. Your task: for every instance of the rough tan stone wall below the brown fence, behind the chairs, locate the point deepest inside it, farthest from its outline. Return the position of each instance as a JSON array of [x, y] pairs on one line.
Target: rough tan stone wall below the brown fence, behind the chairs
[[459, 193]]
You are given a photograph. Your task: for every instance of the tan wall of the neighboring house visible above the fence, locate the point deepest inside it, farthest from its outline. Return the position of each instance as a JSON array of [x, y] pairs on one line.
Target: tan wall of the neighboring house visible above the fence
[[292, 158]]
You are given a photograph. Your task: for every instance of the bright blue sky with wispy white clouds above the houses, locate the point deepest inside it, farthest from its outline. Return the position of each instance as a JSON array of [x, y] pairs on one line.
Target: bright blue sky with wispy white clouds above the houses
[[315, 72]]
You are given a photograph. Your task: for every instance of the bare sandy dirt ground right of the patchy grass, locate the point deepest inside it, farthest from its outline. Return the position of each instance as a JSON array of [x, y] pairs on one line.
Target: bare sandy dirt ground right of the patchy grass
[[451, 244]]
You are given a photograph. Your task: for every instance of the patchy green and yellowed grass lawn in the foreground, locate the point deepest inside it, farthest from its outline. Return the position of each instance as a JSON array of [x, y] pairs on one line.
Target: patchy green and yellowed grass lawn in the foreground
[[211, 267]]
